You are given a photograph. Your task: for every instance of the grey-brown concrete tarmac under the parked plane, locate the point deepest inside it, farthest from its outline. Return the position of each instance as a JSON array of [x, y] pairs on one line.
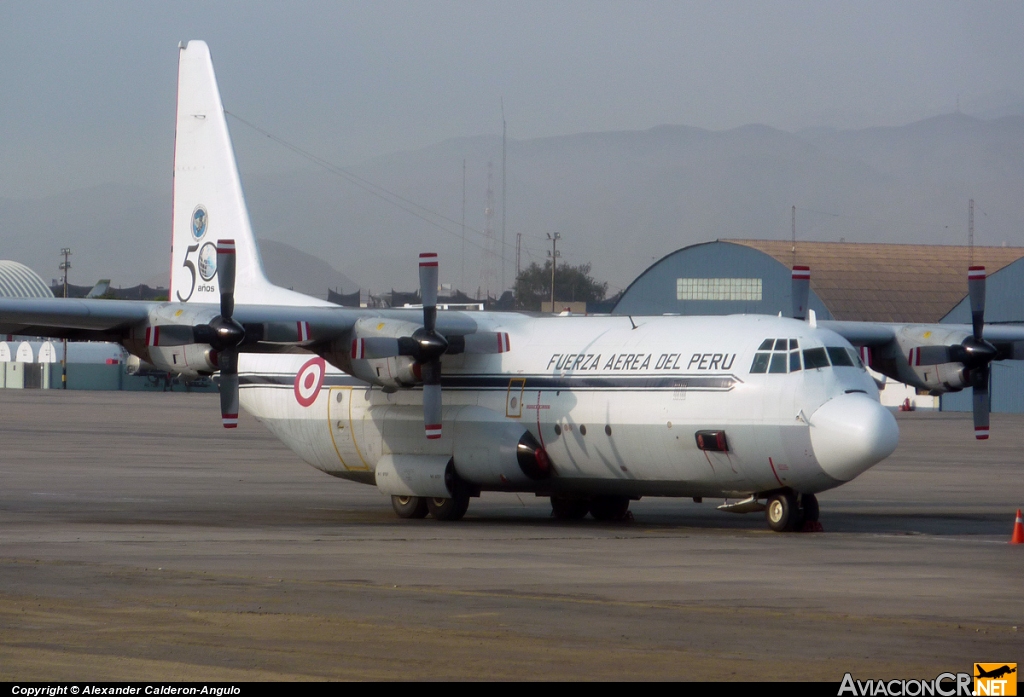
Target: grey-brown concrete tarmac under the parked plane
[[141, 541]]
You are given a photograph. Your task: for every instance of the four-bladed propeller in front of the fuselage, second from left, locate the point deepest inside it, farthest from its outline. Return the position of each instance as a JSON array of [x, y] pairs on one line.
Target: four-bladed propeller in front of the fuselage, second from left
[[426, 346]]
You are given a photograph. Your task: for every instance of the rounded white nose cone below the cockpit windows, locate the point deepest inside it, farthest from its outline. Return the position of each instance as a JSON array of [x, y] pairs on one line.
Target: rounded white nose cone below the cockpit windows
[[850, 433]]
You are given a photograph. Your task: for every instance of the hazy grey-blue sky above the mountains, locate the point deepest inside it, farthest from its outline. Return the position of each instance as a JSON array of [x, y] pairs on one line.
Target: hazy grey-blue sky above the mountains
[[90, 88]]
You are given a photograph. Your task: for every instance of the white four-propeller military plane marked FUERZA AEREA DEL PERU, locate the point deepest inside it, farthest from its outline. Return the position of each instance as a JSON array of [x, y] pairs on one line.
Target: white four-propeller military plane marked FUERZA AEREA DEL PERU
[[437, 408]]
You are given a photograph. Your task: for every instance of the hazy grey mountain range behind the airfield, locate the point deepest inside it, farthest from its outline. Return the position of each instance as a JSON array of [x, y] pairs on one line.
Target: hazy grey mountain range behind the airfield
[[620, 200]]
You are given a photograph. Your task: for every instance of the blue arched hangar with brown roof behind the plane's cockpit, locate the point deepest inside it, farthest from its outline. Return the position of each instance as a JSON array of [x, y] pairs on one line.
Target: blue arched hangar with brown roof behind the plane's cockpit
[[849, 282]]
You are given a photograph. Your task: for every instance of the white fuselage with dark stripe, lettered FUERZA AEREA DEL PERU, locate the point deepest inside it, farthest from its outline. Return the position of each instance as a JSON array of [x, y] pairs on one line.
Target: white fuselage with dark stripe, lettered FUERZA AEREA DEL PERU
[[615, 402]]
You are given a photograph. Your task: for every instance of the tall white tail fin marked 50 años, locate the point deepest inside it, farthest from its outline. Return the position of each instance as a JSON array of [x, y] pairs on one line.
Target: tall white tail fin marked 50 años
[[209, 204]]
